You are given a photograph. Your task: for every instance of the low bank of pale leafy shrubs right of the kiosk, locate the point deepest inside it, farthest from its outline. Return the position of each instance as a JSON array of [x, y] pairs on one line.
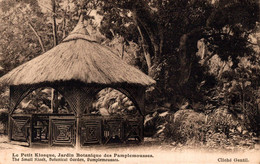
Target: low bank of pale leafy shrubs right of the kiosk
[[220, 129]]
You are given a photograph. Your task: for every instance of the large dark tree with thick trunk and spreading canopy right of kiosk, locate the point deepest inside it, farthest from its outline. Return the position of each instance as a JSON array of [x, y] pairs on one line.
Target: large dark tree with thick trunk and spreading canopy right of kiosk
[[171, 30]]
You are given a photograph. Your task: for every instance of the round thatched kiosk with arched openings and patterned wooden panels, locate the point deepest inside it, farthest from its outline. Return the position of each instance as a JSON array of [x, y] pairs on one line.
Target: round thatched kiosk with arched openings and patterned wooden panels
[[78, 68]]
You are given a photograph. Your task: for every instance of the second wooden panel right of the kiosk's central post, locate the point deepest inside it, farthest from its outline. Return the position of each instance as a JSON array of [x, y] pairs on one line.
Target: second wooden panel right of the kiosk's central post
[[113, 130]]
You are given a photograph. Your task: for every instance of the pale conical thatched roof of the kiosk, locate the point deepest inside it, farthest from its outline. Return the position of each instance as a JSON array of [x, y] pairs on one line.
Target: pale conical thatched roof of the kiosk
[[78, 57]]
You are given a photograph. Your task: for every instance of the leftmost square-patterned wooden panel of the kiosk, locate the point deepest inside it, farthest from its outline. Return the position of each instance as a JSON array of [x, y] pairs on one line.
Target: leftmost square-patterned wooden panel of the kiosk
[[20, 128]]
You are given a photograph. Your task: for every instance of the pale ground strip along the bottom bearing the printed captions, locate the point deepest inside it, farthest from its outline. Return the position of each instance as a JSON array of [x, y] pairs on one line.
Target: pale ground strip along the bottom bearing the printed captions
[[150, 151]]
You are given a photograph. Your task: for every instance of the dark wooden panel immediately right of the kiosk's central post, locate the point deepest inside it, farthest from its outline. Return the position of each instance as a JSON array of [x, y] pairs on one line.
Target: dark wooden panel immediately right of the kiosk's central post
[[91, 132]]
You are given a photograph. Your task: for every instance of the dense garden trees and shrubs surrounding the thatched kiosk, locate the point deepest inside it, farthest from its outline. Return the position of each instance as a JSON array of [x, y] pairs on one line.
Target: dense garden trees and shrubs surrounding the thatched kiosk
[[204, 55]]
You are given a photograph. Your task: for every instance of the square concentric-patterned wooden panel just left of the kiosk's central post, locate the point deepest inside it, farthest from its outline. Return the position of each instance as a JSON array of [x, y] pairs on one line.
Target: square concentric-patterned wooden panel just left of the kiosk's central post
[[62, 131]]
